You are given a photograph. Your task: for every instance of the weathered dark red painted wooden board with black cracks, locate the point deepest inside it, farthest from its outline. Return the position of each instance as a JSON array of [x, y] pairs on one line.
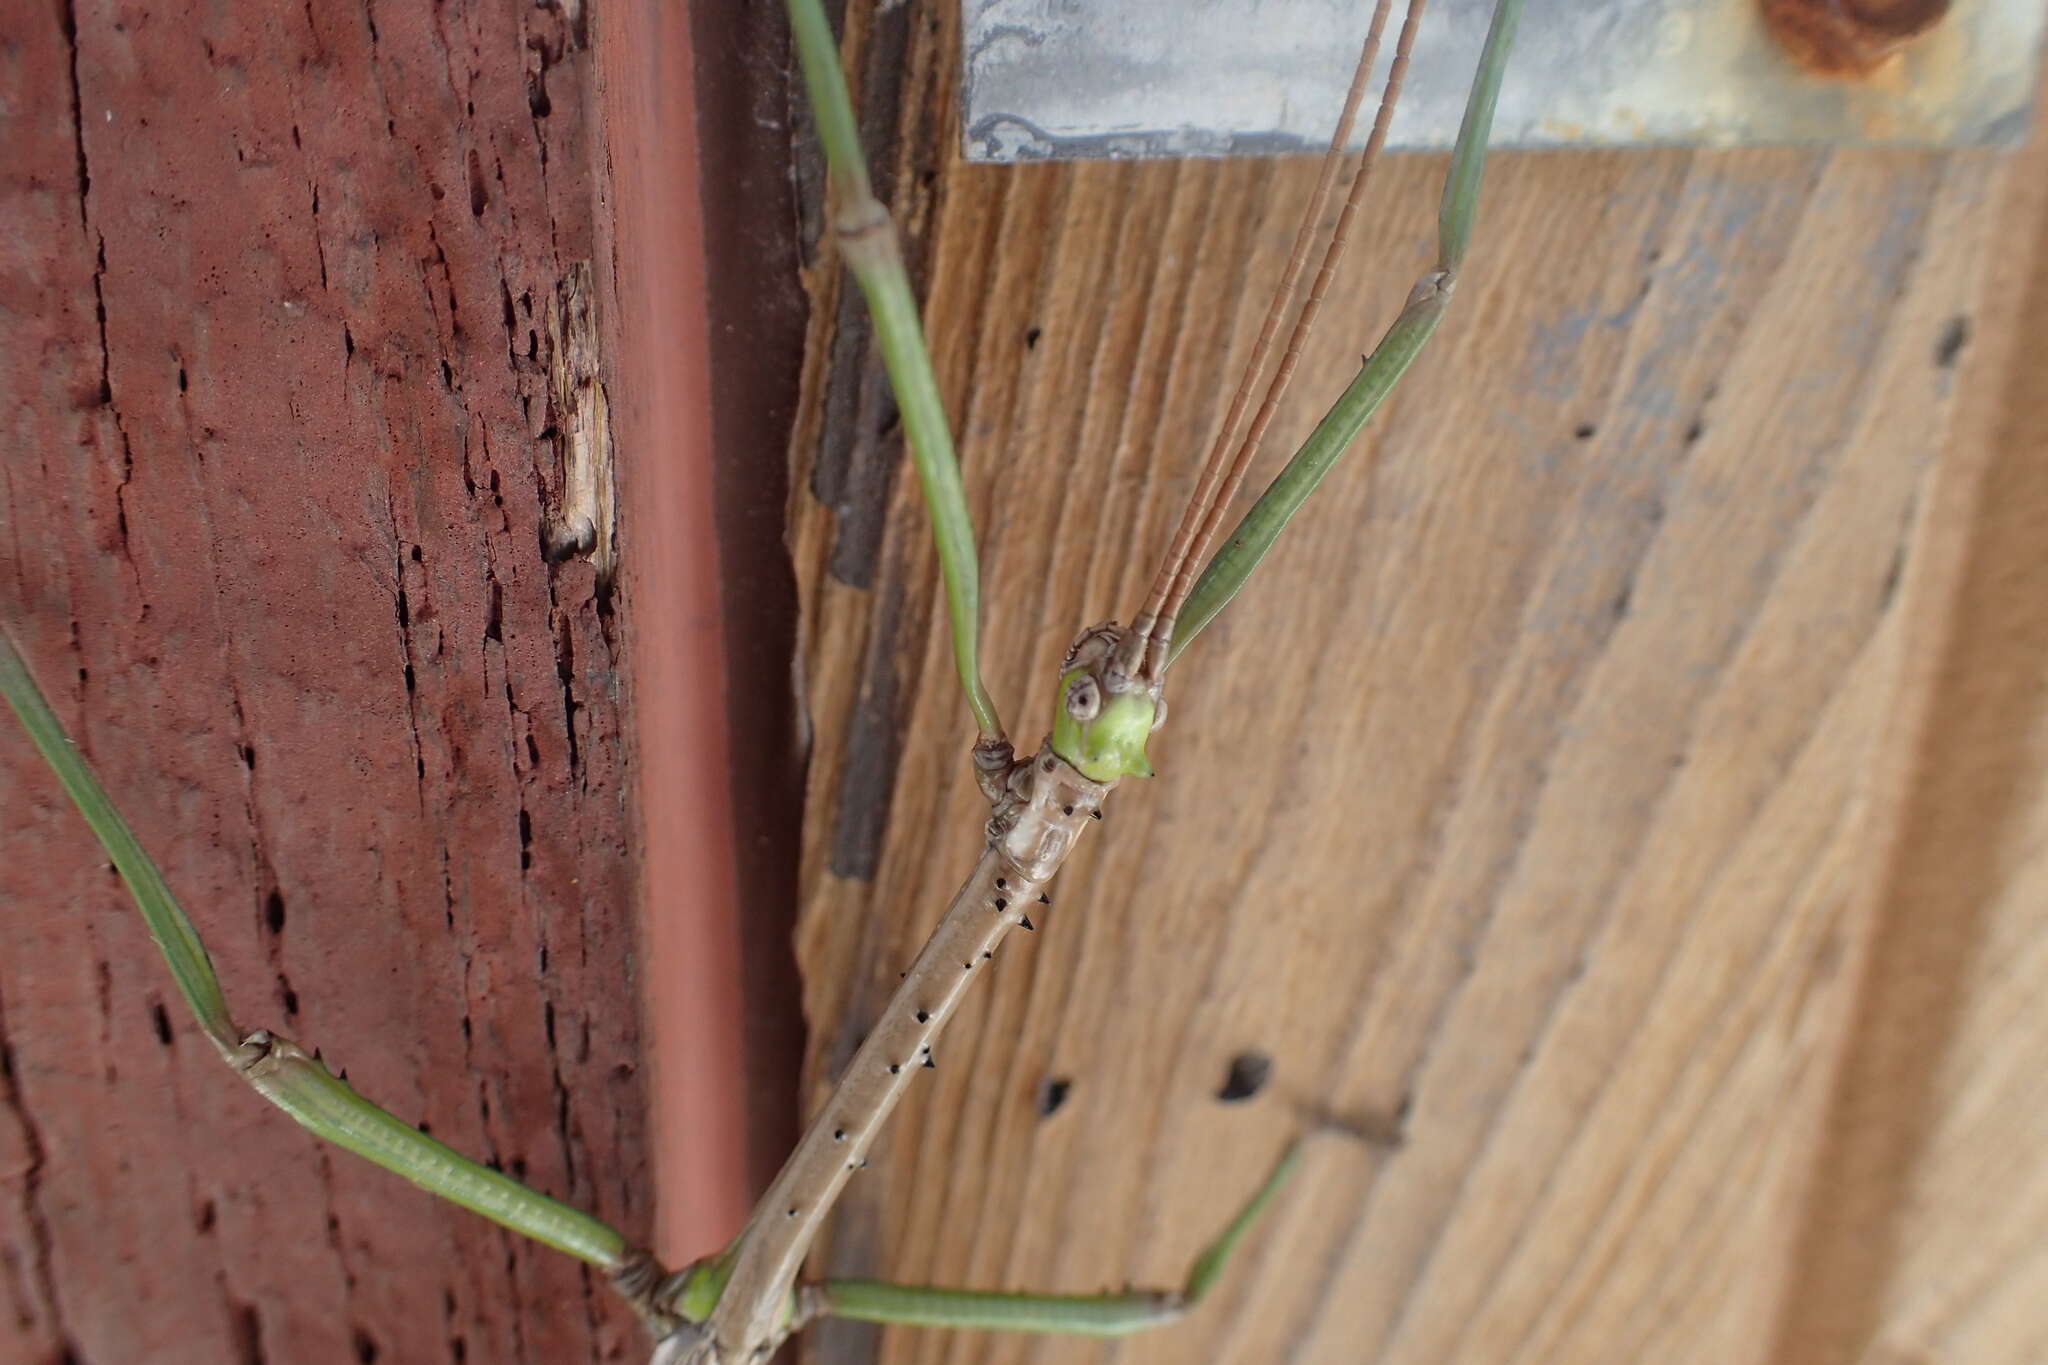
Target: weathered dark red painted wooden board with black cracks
[[271, 500]]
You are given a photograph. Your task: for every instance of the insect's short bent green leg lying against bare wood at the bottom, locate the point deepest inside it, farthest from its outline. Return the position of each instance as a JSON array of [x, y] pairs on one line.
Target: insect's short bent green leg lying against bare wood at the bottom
[[1089, 1315]]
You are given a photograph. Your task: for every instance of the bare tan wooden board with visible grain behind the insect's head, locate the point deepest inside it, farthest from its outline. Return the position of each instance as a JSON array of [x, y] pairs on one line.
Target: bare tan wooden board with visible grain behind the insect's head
[[1525, 807]]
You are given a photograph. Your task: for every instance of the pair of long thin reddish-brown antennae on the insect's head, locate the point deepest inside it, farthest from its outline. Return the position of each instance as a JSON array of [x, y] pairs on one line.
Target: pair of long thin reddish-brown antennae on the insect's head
[[1150, 642]]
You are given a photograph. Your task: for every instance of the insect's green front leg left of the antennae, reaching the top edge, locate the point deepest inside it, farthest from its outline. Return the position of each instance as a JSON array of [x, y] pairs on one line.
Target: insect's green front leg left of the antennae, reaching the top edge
[[867, 238]]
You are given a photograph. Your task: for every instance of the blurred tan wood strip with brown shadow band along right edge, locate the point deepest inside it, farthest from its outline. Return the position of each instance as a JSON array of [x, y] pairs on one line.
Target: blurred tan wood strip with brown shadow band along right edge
[[1928, 1208]]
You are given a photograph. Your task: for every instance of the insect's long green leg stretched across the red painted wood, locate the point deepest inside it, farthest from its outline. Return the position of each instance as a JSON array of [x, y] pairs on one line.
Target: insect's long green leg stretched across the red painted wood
[[278, 1067]]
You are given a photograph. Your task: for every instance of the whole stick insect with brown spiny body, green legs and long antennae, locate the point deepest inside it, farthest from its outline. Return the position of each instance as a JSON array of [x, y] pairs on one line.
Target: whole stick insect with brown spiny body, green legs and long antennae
[[1109, 699]]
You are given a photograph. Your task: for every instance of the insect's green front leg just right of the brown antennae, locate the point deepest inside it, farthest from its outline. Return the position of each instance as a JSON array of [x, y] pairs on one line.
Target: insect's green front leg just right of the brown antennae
[[1256, 533]]
